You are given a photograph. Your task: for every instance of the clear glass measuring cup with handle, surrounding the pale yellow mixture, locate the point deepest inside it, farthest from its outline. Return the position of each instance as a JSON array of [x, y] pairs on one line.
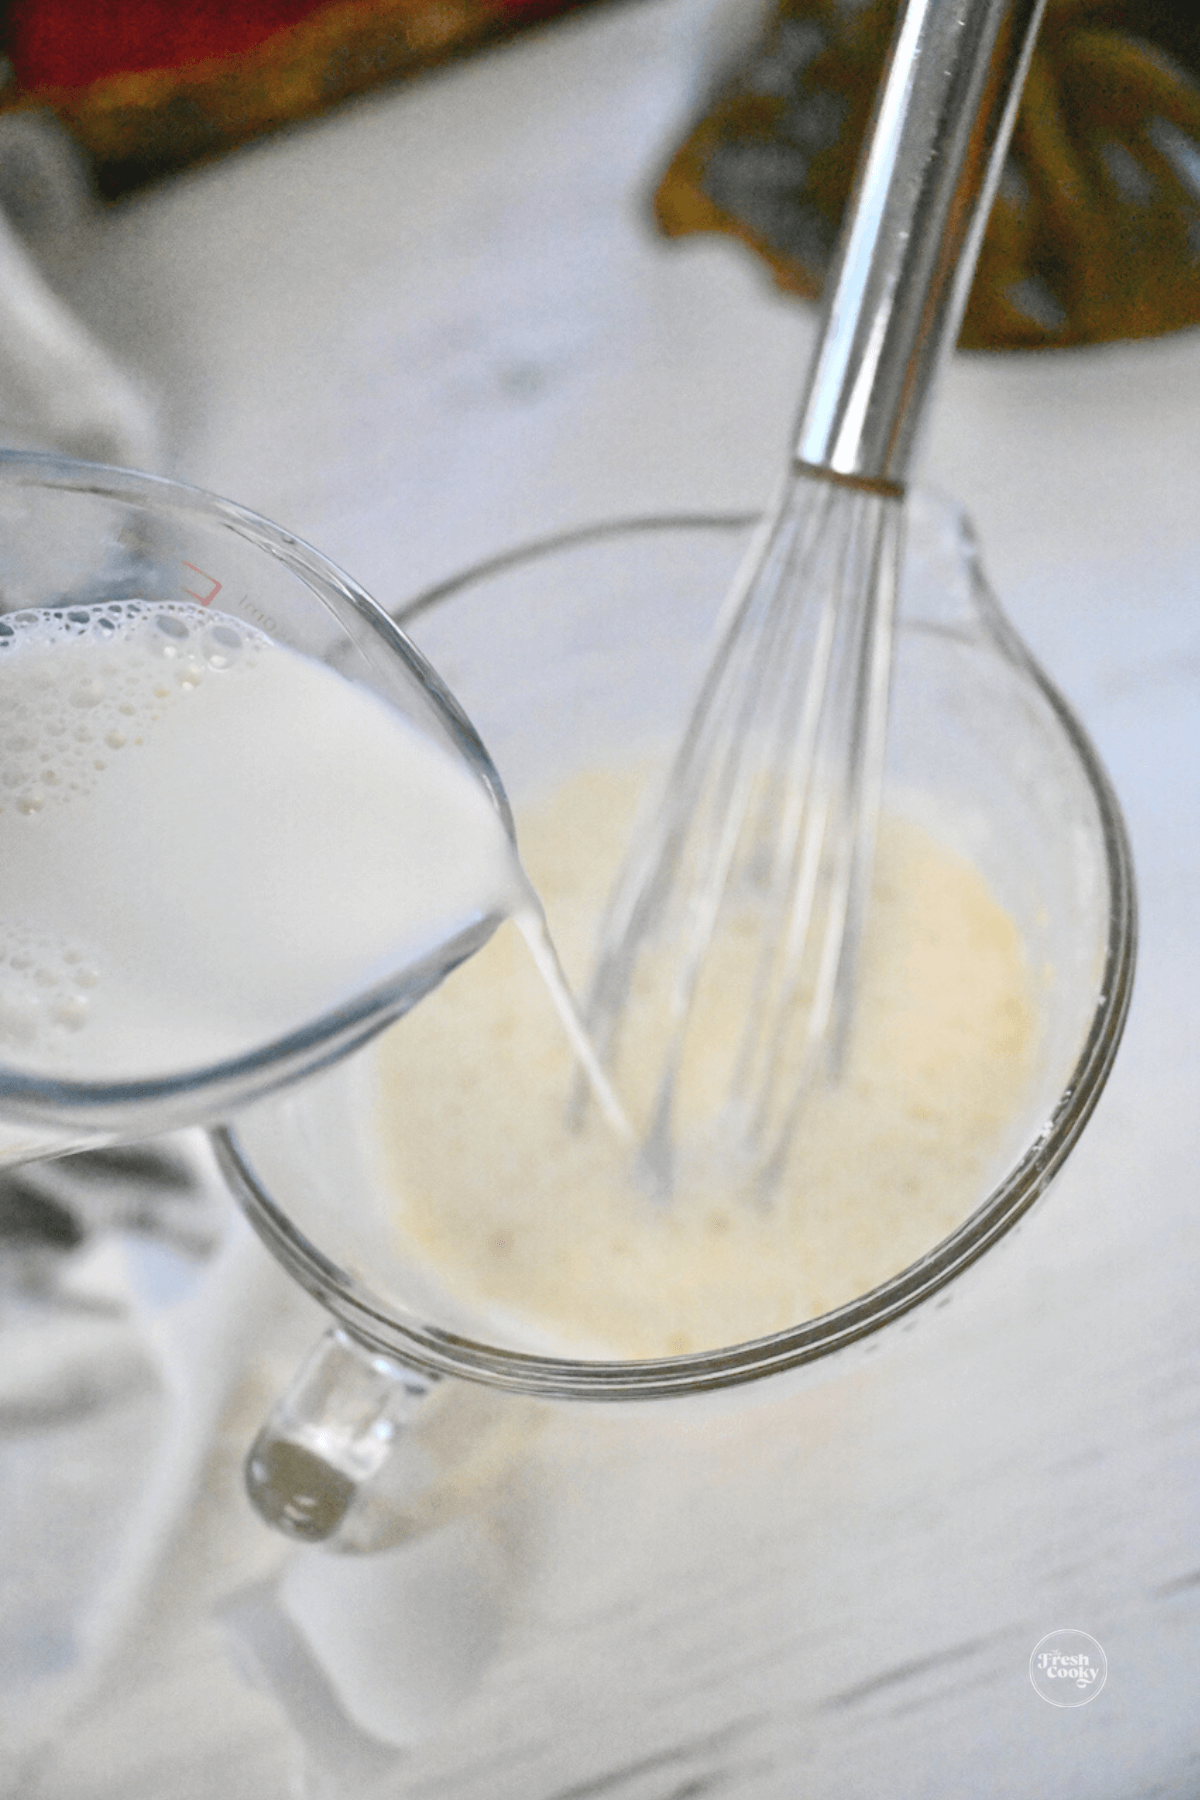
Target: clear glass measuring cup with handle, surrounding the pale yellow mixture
[[580, 649]]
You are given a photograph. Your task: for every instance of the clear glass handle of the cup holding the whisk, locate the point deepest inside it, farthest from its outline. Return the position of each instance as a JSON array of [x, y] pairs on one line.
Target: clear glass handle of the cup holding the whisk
[[330, 1434]]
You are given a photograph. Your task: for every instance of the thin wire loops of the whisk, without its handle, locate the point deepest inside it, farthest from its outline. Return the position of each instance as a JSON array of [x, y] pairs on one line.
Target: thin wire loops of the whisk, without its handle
[[758, 836]]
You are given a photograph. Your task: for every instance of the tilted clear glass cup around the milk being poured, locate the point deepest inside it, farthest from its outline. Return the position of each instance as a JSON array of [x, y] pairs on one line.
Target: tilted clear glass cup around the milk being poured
[[75, 535]]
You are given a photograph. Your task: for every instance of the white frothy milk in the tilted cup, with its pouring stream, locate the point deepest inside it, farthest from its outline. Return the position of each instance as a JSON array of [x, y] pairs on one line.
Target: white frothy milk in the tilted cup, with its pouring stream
[[210, 840]]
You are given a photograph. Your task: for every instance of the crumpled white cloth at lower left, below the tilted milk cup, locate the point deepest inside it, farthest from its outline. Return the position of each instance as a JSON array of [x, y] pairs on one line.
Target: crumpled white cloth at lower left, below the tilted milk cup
[[116, 1358]]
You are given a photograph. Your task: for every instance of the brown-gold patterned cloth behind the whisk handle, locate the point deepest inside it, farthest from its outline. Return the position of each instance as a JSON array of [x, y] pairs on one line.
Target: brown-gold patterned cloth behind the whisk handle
[[1097, 228]]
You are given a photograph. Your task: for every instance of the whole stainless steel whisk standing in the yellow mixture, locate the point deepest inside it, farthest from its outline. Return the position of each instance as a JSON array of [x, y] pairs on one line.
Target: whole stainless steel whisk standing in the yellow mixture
[[755, 874]]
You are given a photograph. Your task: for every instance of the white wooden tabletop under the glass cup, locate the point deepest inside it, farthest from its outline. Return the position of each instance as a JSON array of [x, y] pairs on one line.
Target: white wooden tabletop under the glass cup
[[436, 325]]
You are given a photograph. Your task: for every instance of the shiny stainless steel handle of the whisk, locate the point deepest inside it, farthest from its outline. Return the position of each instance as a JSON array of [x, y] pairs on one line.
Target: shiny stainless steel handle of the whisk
[[895, 300]]
